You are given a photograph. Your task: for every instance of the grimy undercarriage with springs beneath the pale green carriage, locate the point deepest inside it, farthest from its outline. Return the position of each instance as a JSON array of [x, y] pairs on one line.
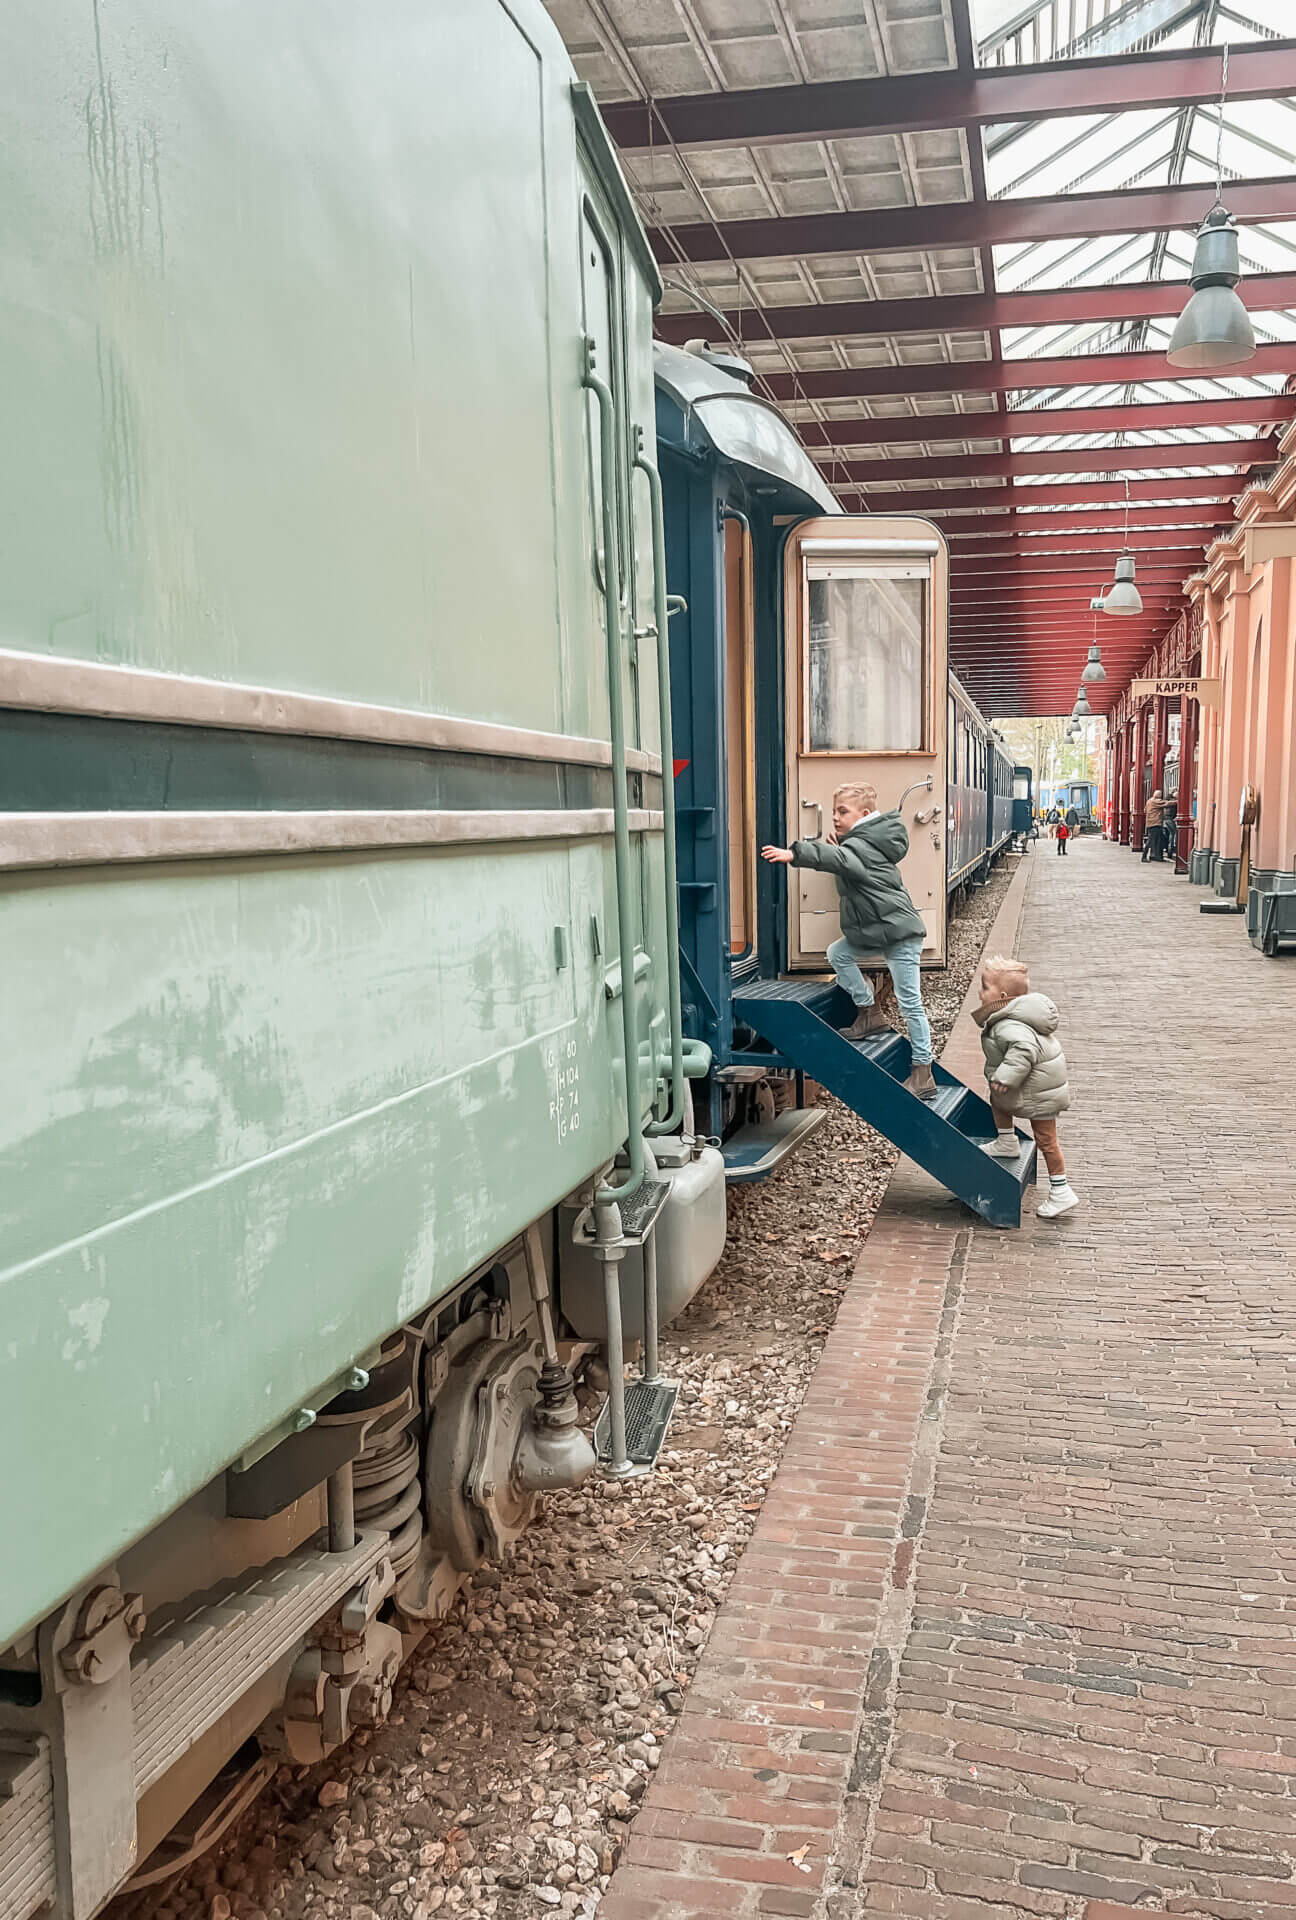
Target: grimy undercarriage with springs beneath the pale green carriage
[[268, 1620]]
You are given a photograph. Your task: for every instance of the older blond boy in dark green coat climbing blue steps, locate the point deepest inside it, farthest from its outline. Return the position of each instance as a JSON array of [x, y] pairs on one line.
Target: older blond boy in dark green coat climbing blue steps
[[863, 855]]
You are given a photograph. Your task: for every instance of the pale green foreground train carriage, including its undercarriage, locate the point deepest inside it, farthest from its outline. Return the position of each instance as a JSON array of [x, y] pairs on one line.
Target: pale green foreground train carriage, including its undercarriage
[[335, 880]]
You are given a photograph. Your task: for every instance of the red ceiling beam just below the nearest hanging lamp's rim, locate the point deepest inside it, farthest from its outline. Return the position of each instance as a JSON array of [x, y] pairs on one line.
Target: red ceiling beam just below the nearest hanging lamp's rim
[[1264, 410]]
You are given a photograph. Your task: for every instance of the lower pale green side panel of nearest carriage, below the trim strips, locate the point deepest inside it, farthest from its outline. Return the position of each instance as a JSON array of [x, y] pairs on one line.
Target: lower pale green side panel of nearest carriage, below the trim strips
[[270, 1111]]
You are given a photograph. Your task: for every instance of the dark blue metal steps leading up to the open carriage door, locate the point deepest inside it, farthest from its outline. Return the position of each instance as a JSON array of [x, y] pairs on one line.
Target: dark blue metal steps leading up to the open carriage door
[[946, 1136]]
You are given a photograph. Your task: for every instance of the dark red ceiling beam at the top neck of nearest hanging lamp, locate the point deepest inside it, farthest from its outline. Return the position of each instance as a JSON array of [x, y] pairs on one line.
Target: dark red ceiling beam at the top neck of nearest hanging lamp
[[963, 224]]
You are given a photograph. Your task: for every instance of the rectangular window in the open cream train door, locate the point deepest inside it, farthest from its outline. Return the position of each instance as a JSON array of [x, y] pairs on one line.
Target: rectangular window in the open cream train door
[[867, 660]]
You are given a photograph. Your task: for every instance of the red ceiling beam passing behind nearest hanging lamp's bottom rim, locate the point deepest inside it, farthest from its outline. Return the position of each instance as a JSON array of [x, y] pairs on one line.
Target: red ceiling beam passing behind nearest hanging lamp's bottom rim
[[1015, 375]]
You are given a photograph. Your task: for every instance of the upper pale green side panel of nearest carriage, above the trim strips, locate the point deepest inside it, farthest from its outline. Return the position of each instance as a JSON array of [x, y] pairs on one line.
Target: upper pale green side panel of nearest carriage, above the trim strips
[[279, 352]]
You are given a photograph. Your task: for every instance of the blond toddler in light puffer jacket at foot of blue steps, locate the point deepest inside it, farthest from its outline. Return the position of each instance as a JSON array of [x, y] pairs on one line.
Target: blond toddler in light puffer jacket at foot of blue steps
[[1026, 1068]]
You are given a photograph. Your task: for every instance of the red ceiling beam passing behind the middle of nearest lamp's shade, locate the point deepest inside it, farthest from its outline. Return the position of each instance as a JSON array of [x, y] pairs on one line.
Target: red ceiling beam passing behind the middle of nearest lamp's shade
[[1065, 306]]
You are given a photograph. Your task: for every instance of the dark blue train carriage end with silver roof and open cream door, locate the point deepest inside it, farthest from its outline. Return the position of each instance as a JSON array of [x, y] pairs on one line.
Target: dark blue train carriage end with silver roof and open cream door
[[807, 652]]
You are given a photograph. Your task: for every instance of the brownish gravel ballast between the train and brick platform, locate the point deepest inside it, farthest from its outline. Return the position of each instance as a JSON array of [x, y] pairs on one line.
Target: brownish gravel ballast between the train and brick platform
[[529, 1723]]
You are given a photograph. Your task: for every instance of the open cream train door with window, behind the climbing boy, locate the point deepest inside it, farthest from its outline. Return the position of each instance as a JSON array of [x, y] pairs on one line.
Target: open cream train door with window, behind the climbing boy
[[867, 700]]
